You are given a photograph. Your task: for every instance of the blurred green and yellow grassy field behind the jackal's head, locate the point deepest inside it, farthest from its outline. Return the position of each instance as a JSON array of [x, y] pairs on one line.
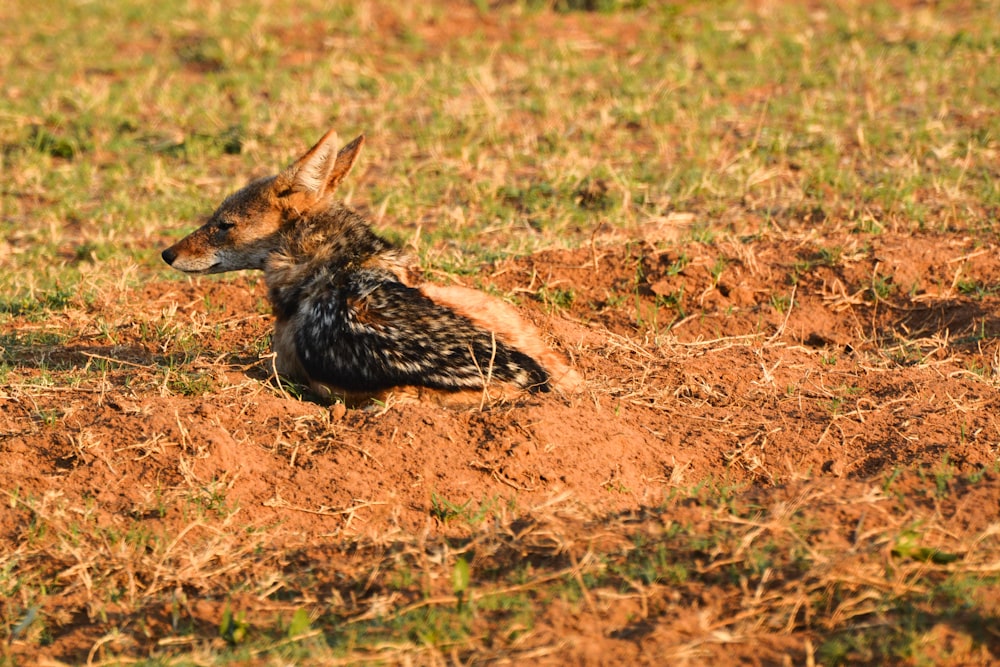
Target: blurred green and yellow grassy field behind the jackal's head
[[494, 128]]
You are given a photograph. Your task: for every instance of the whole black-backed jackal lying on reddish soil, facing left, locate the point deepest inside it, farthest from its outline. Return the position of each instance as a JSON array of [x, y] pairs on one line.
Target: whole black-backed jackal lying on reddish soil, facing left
[[350, 320]]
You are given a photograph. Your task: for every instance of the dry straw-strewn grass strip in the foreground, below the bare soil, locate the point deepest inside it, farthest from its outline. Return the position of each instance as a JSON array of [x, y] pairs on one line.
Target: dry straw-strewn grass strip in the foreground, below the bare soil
[[783, 578]]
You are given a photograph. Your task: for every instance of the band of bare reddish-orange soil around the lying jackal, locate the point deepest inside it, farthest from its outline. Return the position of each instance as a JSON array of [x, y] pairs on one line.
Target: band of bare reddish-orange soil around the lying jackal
[[792, 368]]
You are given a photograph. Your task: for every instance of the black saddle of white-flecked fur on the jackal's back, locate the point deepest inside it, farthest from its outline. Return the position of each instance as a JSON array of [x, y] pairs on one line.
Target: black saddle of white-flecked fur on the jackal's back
[[364, 330]]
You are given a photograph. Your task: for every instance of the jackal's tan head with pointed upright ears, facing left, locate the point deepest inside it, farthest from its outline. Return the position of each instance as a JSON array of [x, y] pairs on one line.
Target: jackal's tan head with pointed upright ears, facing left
[[249, 225]]
